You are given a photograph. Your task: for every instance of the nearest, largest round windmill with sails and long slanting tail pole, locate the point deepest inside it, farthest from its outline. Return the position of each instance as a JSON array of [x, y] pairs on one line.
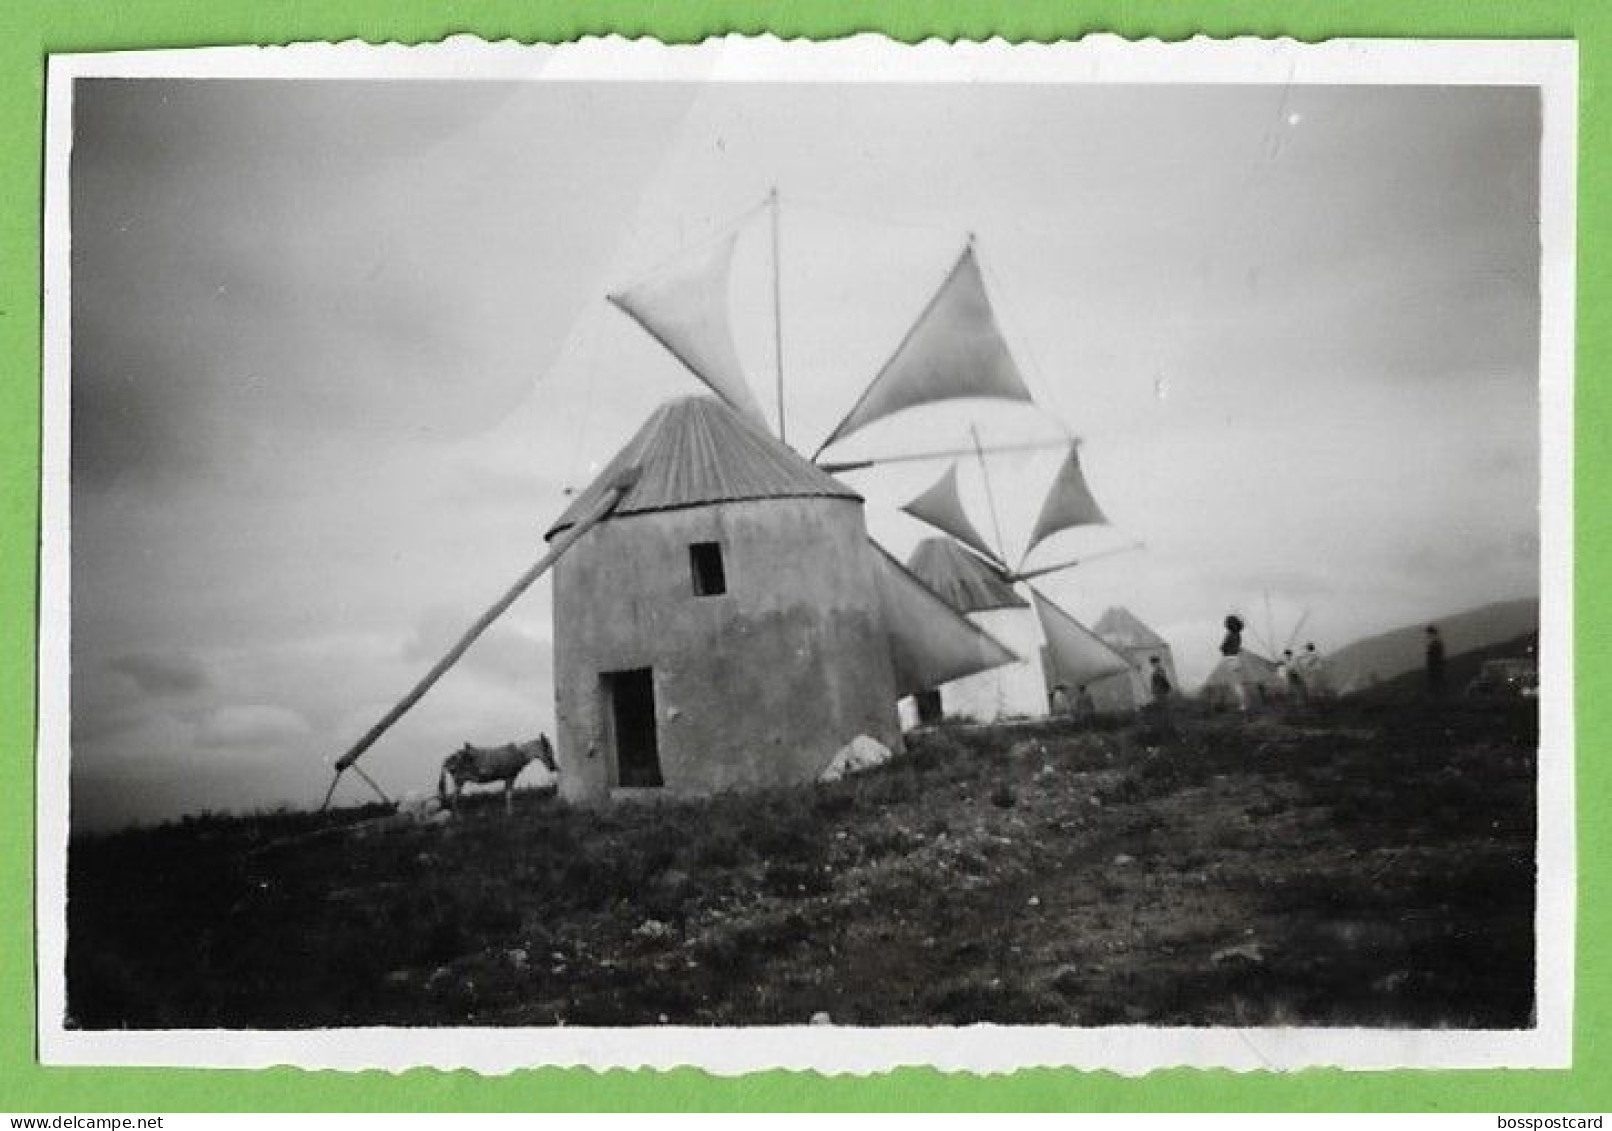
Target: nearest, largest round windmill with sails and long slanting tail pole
[[797, 636]]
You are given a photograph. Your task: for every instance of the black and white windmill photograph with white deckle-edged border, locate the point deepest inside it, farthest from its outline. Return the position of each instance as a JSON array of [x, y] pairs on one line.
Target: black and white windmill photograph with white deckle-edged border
[[815, 555]]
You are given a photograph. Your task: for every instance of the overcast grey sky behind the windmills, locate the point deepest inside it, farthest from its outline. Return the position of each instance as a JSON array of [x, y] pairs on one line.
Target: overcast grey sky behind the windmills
[[341, 349]]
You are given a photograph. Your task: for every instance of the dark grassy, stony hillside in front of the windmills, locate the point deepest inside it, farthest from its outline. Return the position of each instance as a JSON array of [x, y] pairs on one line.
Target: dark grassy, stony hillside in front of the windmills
[[1369, 866]]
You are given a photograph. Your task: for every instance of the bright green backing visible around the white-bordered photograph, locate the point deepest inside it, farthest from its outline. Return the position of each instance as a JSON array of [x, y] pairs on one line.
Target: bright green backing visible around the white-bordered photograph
[[31, 30]]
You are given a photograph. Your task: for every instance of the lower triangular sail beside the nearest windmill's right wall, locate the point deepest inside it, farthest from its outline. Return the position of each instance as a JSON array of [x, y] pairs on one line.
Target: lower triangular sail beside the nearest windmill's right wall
[[931, 644]]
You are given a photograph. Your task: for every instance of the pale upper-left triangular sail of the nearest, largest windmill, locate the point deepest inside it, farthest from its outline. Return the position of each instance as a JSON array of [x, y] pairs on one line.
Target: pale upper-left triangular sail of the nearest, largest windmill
[[686, 309]]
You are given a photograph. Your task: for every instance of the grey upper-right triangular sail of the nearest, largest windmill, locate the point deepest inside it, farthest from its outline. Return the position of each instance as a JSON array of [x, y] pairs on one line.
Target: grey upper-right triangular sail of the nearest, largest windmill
[[953, 350]]
